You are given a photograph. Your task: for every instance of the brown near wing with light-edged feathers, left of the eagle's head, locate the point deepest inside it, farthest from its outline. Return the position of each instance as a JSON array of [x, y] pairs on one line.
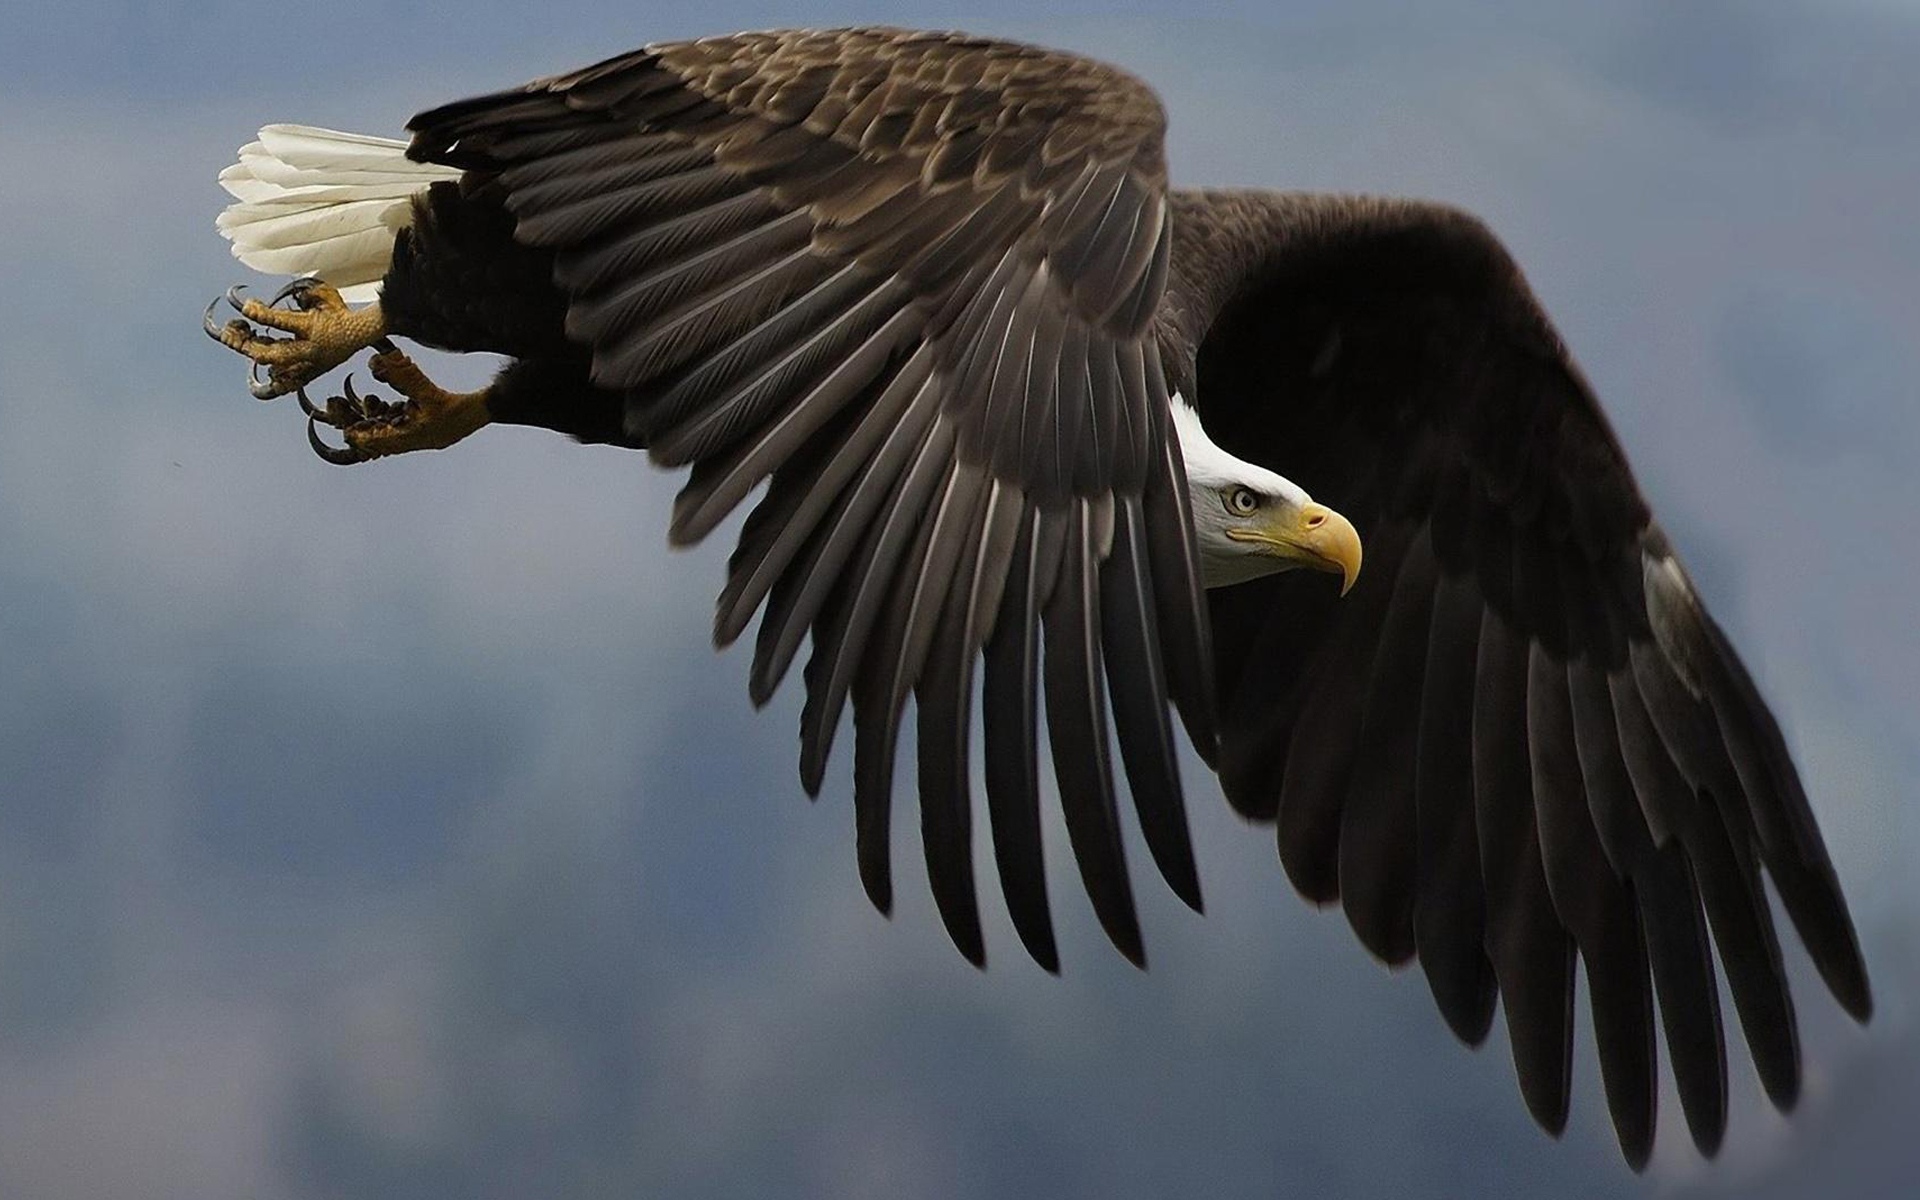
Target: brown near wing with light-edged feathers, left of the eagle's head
[[909, 279]]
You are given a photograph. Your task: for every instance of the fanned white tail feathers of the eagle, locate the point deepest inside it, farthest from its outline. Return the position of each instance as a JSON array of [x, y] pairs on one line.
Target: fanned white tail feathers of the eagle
[[324, 203]]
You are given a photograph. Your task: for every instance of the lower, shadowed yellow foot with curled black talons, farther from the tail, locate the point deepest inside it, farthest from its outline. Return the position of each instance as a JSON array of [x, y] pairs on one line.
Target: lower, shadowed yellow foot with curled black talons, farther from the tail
[[431, 418]]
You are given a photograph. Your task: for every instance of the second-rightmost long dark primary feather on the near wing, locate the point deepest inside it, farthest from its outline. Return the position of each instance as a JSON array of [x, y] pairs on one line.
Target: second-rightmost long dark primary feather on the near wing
[[1138, 692]]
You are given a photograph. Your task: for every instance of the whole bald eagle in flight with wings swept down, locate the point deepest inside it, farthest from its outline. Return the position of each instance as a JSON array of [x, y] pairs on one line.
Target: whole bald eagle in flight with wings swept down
[[1019, 410]]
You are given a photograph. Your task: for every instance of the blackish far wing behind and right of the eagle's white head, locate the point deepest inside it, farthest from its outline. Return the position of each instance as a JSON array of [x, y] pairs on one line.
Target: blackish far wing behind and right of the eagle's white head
[[1522, 738]]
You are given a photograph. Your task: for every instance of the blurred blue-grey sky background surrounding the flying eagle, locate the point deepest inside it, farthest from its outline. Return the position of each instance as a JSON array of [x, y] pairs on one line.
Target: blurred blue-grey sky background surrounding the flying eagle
[[395, 832]]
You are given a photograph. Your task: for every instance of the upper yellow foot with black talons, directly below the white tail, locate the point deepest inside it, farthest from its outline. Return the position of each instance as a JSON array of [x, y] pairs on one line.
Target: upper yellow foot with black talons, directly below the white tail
[[325, 333]]
